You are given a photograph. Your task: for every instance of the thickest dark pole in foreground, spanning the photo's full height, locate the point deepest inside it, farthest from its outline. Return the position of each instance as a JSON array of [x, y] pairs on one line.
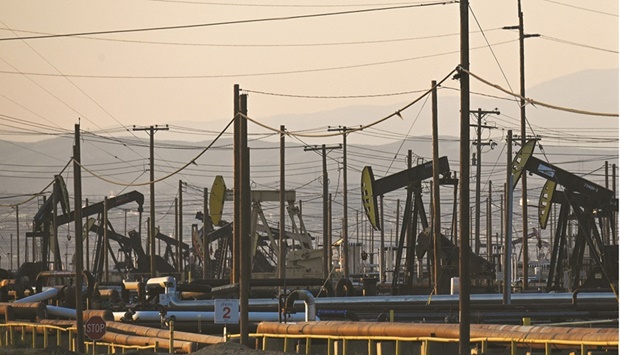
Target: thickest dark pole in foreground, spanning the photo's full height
[[464, 277]]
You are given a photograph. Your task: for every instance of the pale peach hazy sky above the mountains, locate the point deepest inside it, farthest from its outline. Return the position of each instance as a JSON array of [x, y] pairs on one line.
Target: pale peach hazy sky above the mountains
[[187, 74]]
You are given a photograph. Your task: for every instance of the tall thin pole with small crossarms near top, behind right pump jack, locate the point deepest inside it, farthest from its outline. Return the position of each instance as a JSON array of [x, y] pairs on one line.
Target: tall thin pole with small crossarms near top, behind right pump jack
[[522, 103]]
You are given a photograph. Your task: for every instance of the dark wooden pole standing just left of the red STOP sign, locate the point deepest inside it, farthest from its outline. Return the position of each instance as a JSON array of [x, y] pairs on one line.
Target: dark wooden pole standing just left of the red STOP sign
[[77, 191]]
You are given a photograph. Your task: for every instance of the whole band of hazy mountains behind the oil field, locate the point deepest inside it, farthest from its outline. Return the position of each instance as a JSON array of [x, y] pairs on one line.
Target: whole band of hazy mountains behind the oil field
[[28, 167]]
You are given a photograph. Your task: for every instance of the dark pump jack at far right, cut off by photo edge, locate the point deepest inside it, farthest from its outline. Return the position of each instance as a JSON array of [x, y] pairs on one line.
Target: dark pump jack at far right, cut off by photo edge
[[588, 202]]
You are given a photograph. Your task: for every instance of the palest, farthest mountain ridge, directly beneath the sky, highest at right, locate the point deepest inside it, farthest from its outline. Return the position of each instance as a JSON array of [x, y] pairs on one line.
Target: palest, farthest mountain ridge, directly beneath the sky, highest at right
[[591, 90]]
